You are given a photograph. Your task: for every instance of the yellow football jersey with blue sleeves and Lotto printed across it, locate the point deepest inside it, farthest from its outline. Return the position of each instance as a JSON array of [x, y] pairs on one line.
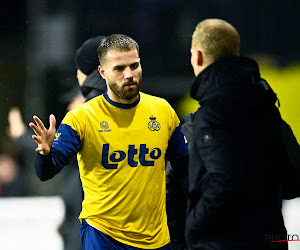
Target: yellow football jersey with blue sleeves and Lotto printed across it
[[121, 157]]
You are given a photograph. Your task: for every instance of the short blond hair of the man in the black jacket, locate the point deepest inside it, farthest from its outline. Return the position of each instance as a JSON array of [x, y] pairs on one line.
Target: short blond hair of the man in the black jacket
[[216, 38]]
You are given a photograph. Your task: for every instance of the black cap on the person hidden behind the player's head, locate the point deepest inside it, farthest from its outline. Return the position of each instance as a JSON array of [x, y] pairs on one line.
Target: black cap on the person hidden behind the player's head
[[86, 58]]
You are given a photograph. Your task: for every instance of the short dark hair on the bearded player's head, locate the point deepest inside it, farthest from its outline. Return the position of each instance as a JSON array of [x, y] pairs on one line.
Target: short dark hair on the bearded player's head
[[117, 42]]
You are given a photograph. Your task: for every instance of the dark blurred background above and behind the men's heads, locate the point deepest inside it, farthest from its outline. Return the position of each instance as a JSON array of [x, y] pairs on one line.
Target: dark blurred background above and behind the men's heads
[[39, 39]]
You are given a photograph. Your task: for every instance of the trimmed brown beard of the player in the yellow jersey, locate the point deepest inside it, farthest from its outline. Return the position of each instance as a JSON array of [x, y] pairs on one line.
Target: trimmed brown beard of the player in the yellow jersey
[[125, 93]]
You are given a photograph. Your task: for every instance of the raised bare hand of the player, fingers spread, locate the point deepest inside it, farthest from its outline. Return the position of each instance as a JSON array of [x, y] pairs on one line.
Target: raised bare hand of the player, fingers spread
[[43, 137]]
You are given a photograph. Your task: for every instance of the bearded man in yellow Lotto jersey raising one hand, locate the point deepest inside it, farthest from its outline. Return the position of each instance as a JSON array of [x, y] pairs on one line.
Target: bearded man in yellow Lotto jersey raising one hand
[[122, 139]]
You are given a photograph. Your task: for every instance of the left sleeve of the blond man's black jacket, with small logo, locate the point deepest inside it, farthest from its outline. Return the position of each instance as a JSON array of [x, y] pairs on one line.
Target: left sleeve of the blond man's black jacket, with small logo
[[217, 150]]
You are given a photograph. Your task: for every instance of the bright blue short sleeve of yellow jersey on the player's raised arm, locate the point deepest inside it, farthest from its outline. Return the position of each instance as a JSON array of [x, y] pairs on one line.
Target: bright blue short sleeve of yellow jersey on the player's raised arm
[[67, 141]]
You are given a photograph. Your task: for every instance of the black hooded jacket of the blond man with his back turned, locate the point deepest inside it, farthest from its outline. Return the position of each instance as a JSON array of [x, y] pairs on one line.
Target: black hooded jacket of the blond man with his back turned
[[235, 160]]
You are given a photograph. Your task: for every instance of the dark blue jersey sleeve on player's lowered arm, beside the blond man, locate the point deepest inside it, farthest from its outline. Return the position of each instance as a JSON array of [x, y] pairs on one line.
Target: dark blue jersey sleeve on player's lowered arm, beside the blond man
[[177, 148]]
